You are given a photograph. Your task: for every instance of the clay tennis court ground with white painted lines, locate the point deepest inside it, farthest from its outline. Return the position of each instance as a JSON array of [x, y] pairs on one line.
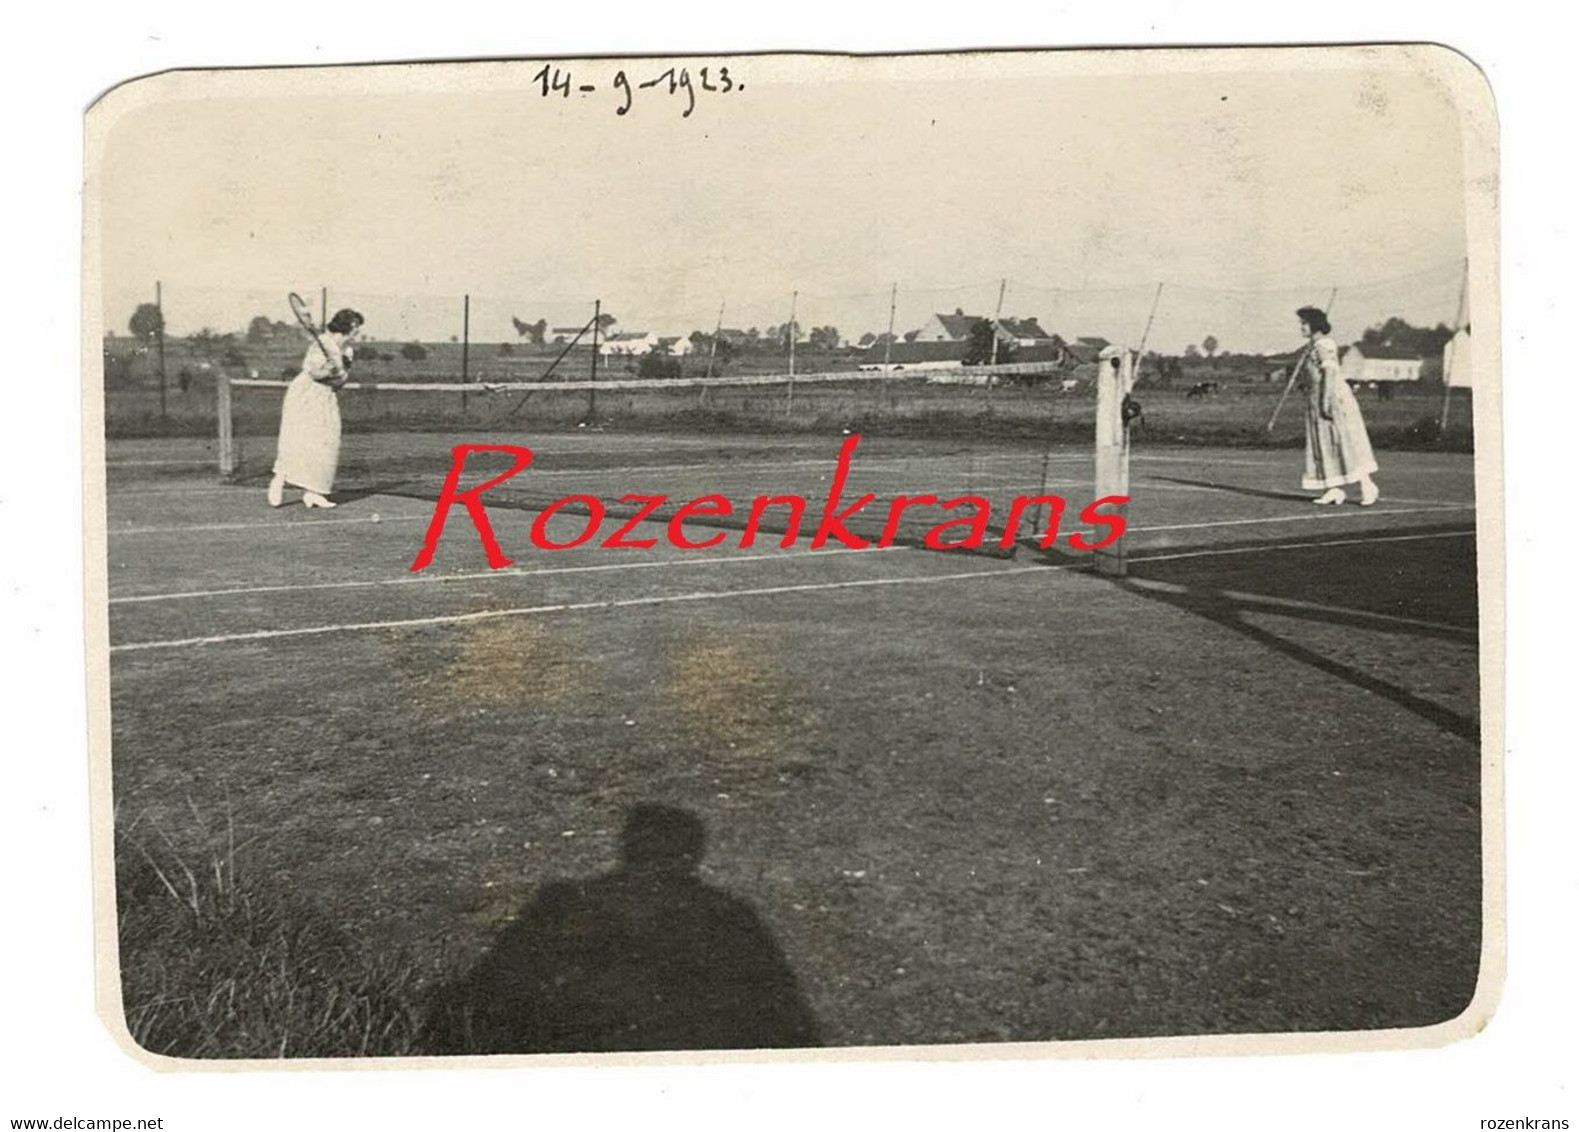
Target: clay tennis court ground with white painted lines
[[972, 798]]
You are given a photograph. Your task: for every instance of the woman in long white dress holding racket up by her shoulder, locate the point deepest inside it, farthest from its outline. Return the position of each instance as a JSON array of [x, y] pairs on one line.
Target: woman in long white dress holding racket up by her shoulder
[[309, 451]]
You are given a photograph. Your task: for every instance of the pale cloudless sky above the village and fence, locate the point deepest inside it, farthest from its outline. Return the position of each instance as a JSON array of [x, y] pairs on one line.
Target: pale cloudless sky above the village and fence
[[1247, 184]]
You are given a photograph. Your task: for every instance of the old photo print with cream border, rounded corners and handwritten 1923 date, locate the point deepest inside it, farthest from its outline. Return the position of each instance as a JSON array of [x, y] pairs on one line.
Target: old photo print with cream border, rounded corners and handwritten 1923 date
[[962, 553]]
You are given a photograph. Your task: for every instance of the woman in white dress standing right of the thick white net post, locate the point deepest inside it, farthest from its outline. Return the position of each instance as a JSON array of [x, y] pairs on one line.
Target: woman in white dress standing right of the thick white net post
[[1337, 446]]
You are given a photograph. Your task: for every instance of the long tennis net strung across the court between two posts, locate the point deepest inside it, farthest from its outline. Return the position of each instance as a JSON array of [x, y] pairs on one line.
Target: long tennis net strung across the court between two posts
[[983, 432]]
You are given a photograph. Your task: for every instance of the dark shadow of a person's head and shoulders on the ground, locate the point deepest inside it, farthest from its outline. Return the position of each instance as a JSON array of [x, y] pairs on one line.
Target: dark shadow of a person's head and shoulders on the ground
[[643, 958]]
